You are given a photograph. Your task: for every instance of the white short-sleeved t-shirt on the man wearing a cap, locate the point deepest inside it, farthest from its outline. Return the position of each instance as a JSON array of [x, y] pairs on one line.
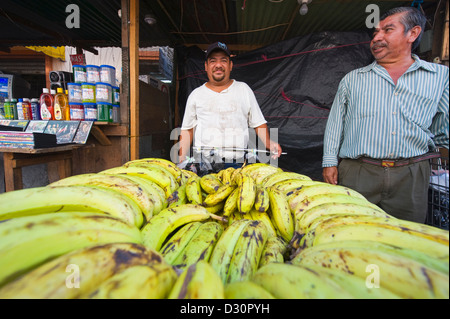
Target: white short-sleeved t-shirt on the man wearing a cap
[[222, 119]]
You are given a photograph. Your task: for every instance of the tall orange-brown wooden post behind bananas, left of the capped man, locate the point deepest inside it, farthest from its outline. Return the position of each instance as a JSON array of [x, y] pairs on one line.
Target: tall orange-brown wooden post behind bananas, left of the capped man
[[134, 79]]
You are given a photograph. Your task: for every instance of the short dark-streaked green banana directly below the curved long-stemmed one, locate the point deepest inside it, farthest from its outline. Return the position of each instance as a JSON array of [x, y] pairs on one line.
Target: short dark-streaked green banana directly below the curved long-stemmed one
[[176, 244]]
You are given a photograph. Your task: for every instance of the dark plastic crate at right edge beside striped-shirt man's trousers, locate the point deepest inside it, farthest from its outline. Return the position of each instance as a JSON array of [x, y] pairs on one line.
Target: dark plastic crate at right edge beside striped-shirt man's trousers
[[438, 194]]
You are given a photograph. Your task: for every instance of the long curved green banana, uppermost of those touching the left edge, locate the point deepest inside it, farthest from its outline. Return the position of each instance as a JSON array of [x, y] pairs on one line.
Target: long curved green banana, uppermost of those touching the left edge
[[46, 199]]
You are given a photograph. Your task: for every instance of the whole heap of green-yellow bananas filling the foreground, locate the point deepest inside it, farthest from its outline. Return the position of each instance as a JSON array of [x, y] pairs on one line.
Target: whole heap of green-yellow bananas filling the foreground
[[148, 229]]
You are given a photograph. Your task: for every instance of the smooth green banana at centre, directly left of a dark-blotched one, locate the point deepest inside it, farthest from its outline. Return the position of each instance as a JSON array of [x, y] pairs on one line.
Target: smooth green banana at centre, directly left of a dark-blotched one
[[223, 251]]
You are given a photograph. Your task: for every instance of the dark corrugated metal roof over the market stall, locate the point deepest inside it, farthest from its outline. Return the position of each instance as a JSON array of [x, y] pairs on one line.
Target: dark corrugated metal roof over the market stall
[[242, 24]]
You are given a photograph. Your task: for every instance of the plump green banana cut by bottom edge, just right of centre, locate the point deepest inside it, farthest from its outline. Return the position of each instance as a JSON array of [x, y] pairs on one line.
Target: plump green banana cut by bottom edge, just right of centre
[[287, 281]]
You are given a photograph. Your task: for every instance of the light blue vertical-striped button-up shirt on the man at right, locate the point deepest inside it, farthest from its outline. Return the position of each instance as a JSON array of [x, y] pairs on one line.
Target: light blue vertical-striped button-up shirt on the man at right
[[374, 117]]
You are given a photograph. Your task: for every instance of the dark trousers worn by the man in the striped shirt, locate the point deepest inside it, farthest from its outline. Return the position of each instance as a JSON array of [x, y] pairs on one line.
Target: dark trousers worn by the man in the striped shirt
[[400, 191]]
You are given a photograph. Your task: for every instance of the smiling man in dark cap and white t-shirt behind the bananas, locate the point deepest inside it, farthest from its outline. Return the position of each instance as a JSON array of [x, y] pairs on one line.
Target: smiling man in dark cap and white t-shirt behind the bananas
[[219, 113]]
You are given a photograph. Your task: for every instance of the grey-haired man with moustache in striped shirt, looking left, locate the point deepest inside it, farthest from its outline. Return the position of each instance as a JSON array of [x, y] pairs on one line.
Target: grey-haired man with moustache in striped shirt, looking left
[[385, 119]]
